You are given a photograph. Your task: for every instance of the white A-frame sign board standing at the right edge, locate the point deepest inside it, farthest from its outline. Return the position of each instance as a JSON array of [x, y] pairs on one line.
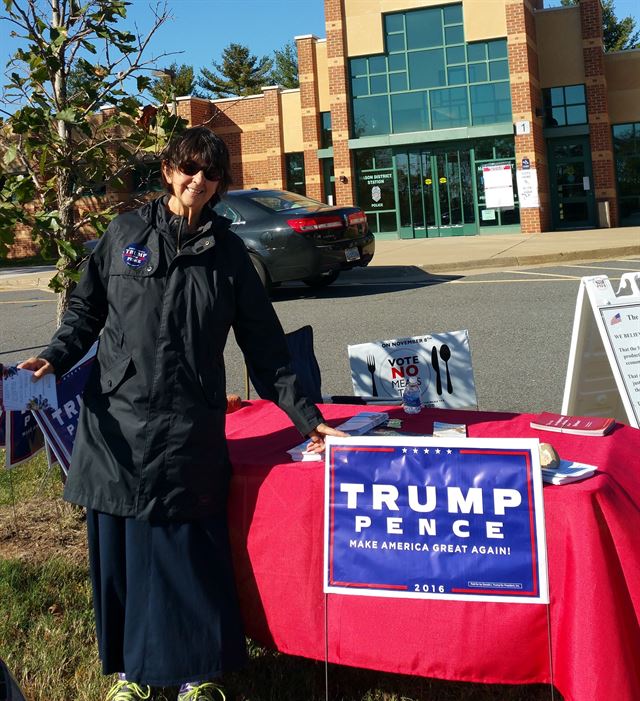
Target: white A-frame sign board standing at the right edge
[[603, 377]]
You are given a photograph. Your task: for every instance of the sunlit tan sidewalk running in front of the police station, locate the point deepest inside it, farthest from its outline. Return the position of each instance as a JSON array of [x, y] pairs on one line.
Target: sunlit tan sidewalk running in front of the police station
[[452, 254]]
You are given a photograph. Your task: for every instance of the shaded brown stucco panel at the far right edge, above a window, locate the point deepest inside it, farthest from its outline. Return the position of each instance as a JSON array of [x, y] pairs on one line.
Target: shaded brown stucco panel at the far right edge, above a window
[[622, 70]]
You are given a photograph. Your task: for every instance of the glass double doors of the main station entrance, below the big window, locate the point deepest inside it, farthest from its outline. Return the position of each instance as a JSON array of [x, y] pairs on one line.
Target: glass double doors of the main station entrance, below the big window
[[436, 193]]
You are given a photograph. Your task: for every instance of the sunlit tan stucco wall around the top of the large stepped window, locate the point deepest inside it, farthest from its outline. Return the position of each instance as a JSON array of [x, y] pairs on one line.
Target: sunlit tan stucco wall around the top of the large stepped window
[[483, 19]]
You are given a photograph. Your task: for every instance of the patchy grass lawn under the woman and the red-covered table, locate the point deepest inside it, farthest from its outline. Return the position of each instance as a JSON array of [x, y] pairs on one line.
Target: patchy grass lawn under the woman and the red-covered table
[[47, 634]]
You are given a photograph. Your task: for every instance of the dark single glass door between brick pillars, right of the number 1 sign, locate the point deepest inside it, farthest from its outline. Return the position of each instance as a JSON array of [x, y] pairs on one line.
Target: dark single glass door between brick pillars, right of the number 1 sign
[[571, 183]]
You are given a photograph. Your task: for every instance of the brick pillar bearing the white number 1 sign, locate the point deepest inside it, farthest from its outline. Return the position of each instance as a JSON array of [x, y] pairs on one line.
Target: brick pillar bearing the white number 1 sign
[[526, 103]]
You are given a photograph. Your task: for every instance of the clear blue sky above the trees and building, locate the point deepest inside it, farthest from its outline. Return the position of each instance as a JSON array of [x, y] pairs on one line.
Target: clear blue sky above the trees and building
[[200, 29]]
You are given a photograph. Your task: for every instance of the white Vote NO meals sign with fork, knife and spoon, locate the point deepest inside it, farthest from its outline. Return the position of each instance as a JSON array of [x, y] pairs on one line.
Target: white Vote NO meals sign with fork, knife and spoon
[[441, 362]]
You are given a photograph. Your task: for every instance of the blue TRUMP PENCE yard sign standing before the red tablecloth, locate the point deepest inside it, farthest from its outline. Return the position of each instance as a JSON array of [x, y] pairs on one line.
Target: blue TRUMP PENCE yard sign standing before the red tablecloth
[[444, 518]]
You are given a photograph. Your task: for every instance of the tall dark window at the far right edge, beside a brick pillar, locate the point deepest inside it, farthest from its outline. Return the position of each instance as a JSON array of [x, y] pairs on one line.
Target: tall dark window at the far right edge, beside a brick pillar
[[626, 147]]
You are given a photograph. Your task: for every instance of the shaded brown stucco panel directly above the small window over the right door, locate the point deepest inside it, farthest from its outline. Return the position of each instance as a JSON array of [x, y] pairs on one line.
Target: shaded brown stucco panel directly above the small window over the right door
[[559, 47]]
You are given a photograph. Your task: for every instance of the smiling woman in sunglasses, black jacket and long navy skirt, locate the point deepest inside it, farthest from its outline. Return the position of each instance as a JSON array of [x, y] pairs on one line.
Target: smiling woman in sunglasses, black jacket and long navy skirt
[[162, 289]]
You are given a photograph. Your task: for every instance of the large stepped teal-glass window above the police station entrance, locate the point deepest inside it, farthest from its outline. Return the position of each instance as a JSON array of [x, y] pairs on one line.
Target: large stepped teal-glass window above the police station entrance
[[429, 78]]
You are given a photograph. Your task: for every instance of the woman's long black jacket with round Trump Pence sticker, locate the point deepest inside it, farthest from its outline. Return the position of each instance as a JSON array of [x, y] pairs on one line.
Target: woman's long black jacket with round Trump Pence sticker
[[151, 435]]
